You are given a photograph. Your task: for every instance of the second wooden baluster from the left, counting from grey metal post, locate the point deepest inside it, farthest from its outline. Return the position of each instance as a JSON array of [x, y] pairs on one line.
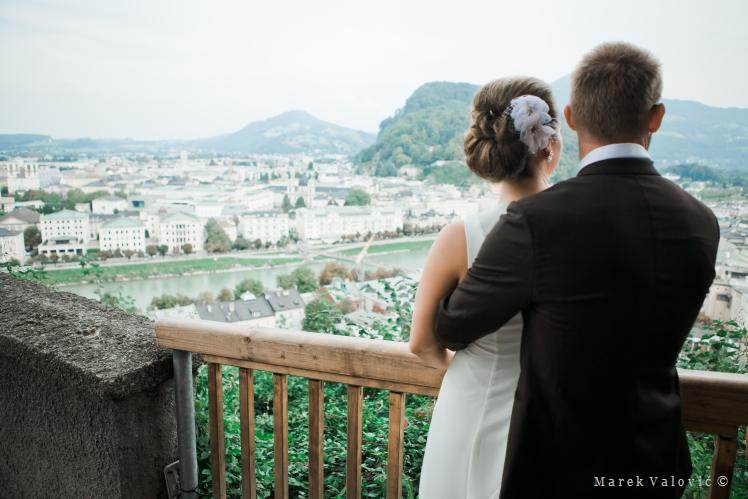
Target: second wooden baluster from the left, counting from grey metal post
[[247, 423]]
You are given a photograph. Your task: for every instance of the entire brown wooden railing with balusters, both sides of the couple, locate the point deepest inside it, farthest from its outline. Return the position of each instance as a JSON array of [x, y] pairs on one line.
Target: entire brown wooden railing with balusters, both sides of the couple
[[715, 403]]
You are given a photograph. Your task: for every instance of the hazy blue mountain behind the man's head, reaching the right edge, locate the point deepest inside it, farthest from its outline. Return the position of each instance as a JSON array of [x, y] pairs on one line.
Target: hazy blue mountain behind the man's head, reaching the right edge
[[691, 132]]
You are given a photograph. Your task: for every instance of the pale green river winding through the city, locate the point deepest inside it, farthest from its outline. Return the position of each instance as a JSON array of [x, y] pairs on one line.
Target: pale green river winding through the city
[[143, 291]]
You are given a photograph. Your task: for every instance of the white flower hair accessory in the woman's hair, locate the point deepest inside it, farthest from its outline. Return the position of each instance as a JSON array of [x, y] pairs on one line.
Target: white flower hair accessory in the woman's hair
[[531, 119]]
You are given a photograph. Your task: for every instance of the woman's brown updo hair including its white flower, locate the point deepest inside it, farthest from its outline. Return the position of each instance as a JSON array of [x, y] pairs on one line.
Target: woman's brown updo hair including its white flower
[[513, 120]]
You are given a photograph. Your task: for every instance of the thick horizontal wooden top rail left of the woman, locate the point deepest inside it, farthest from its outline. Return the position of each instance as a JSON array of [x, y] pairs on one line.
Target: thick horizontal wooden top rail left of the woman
[[356, 361]]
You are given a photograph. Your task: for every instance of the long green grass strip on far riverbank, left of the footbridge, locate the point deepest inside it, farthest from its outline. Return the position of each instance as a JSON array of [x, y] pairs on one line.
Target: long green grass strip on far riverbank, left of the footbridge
[[156, 268]]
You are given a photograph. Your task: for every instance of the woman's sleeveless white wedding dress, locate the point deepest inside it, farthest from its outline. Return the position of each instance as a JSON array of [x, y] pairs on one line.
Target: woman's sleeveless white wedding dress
[[466, 444]]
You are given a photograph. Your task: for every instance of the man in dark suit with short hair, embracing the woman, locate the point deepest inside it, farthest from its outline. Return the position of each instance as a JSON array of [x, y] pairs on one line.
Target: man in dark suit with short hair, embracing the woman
[[609, 270]]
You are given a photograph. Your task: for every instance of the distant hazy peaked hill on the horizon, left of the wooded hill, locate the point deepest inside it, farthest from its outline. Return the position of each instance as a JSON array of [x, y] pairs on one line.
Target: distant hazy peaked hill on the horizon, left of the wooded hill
[[290, 132]]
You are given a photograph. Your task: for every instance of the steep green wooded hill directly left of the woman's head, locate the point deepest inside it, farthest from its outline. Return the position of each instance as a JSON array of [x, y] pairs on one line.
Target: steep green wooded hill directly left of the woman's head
[[428, 128]]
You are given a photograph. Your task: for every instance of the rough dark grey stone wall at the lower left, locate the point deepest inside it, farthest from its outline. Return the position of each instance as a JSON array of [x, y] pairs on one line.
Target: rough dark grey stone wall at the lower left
[[86, 398]]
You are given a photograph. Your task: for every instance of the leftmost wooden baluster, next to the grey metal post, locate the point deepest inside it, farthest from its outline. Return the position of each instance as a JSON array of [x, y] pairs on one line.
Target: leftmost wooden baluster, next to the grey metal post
[[217, 451]]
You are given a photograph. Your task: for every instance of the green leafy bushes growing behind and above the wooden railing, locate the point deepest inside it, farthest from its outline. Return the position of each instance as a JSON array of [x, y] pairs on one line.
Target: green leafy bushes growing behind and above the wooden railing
[[721, 347]]
